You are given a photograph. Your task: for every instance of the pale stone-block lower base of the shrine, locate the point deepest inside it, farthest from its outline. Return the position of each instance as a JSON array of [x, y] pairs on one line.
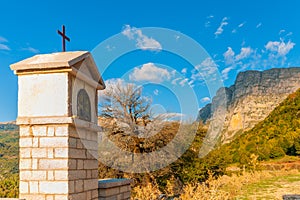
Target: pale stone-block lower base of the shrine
[[55, 165]]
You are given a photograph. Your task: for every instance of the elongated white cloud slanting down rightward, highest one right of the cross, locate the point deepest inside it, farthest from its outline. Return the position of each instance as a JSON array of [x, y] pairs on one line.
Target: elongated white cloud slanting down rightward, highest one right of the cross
[[142, 41]]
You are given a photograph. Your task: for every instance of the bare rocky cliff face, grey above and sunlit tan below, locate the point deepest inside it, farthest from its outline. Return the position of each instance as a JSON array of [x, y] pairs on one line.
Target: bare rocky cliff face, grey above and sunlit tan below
[[252, 98]]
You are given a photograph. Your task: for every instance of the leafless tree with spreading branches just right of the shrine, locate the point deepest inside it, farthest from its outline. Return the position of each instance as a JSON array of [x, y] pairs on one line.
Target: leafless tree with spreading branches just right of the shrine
[[126, 104]]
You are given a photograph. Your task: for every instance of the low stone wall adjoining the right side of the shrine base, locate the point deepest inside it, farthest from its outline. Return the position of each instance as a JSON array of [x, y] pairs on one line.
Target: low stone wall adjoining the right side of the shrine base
[[114, 189]]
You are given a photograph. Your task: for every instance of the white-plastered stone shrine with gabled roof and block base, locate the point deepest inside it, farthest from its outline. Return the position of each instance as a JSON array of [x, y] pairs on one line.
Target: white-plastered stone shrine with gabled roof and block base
[[57, 115]]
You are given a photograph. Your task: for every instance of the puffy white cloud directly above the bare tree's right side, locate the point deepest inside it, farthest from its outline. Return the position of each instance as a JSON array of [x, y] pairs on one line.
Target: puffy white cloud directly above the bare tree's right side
[[150, 72]]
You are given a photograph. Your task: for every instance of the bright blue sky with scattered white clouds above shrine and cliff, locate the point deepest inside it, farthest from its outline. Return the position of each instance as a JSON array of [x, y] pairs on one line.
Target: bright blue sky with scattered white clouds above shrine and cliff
[[237, 35]]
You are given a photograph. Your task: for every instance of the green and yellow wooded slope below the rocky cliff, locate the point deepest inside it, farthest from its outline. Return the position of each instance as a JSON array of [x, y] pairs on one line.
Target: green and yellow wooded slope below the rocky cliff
[[276, 136]]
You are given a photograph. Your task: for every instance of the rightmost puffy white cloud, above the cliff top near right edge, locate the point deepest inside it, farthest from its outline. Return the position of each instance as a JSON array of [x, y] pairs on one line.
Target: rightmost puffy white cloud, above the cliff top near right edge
[[280, 47]]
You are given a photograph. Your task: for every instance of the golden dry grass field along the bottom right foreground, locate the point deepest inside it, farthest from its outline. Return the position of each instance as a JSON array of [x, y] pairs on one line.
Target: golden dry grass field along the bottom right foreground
[[247, 185]]
